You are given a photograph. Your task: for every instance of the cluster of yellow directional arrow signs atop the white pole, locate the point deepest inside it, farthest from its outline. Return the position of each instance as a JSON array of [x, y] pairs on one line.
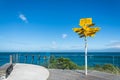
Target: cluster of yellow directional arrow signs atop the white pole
[[87, 29]]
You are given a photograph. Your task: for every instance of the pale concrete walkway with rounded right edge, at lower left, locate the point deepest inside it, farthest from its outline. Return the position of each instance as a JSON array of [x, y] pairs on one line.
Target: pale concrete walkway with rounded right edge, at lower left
[[28, 72]]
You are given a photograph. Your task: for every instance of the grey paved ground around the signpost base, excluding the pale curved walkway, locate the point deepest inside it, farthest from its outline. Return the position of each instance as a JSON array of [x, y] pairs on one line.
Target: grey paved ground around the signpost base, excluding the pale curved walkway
[[57, 74]]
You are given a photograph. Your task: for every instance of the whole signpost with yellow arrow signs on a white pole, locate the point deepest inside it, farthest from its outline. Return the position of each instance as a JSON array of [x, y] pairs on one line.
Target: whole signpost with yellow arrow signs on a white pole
[[86, 31]]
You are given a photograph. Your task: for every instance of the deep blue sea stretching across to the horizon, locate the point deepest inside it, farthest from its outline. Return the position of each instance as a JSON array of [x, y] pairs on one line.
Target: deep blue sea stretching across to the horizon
[[43, 58]]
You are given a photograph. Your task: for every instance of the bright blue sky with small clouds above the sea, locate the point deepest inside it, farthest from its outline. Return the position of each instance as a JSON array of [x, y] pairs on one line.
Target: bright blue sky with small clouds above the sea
[[46, 25]]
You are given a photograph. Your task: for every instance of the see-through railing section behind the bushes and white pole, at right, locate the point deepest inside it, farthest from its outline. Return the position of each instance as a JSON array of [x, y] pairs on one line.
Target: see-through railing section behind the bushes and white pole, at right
[[95, 60]]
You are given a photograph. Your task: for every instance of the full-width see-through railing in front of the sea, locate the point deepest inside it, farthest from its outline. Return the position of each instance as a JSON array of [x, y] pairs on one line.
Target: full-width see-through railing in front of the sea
[[44, 59]]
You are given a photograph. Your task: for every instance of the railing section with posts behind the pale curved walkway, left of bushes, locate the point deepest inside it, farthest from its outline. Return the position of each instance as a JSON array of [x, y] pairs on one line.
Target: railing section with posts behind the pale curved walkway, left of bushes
[[37, 59]]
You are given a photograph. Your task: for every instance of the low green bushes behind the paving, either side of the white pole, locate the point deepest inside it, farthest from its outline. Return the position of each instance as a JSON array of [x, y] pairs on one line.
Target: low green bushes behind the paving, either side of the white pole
[[66, 63]]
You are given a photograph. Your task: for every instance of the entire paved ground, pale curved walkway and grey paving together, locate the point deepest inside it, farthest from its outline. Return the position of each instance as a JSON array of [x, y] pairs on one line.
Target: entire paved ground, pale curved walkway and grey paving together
[[34, 72]]
